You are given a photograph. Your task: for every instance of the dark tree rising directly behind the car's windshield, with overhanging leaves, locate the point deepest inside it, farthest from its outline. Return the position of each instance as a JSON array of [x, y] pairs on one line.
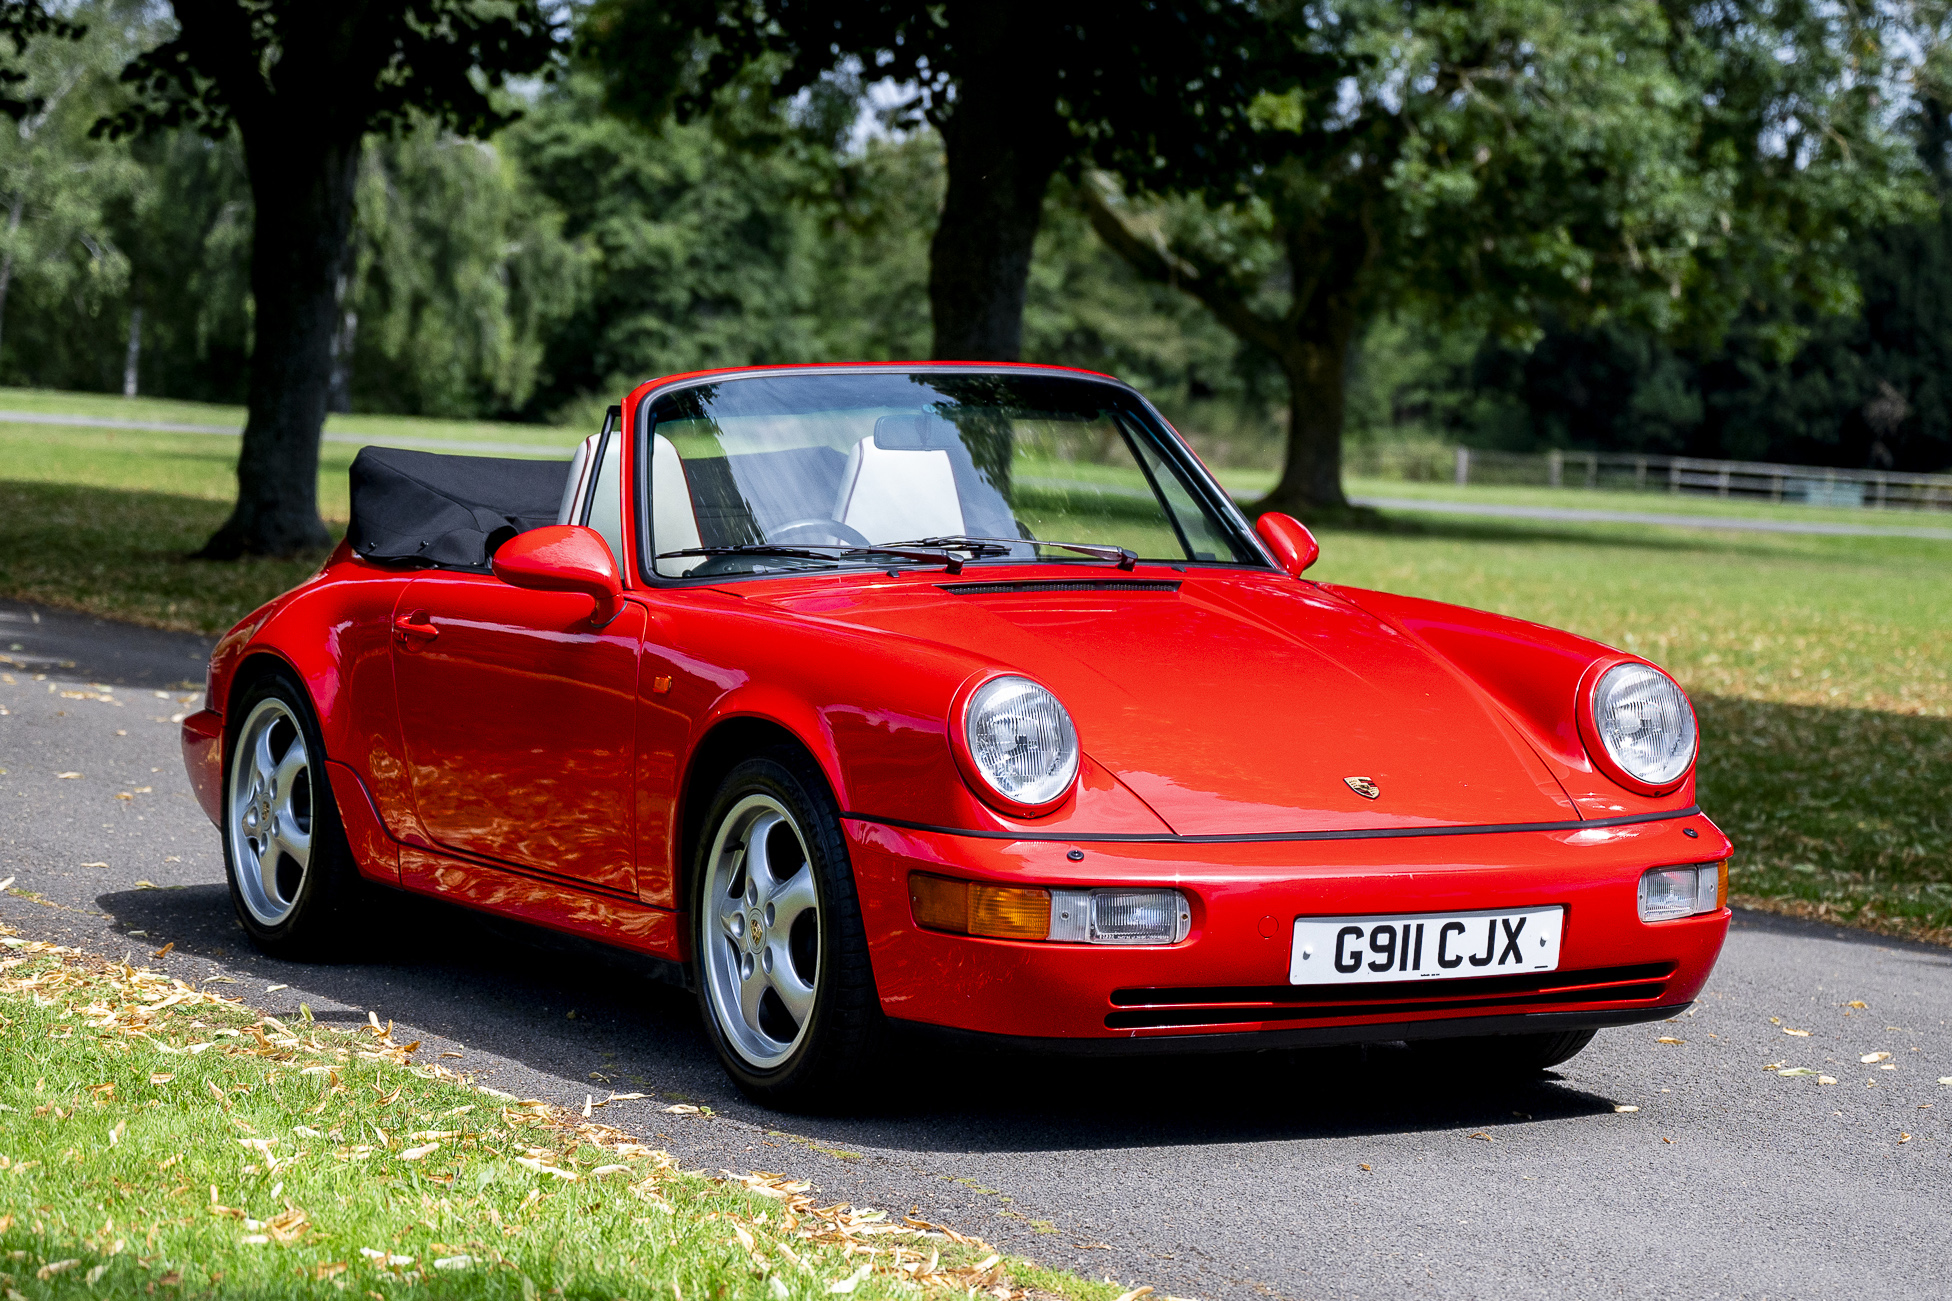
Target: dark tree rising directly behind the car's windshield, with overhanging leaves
[[1018, 89]]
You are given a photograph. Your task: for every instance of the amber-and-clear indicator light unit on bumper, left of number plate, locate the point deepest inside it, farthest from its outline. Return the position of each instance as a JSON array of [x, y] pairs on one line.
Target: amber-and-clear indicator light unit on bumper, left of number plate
[[1034, 913]]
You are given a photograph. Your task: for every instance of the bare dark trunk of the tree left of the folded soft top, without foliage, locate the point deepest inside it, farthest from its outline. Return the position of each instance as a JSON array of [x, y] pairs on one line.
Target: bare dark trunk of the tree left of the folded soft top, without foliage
[[304, 198]]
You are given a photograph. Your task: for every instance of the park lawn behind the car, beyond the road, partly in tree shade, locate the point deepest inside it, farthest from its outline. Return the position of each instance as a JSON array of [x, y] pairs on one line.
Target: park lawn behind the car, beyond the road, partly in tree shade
[[1822, 665]]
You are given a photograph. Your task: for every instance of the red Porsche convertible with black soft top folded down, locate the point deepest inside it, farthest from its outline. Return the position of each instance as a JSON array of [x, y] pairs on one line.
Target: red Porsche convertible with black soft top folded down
[[956, 698]]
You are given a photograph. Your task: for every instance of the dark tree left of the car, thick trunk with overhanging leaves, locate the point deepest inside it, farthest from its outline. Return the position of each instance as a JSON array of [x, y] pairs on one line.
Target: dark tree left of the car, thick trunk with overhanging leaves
[[304, 85]]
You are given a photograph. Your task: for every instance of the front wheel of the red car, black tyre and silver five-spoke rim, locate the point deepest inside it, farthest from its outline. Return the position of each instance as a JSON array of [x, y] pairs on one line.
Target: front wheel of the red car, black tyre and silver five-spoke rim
[[768, 812]]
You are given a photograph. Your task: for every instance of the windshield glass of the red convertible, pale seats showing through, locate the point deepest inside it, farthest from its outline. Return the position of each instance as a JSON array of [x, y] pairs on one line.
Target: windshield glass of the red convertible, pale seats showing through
[[815, 470]]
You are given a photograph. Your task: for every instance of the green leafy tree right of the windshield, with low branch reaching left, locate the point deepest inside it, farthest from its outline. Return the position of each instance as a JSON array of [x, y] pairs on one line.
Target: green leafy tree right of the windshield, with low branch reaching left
[[1496, 161]]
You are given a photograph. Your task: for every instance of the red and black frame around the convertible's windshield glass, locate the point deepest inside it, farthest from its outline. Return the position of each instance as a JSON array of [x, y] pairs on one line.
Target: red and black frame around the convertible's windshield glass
[[1198, 478]]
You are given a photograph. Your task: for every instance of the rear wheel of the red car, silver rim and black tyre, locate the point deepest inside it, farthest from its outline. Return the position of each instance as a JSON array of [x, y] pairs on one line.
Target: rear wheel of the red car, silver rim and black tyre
[[286, 857]]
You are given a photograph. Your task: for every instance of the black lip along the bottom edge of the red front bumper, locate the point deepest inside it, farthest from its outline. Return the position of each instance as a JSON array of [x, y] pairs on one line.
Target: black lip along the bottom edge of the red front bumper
[[1313, 1036]]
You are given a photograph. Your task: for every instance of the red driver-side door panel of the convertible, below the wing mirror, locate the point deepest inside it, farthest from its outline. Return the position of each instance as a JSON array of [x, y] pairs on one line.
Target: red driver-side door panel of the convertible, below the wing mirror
[[518, 724]]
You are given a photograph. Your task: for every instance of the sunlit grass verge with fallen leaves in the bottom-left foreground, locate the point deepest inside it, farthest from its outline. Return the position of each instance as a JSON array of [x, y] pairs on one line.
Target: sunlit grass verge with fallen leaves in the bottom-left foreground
[[159, 1140]]
